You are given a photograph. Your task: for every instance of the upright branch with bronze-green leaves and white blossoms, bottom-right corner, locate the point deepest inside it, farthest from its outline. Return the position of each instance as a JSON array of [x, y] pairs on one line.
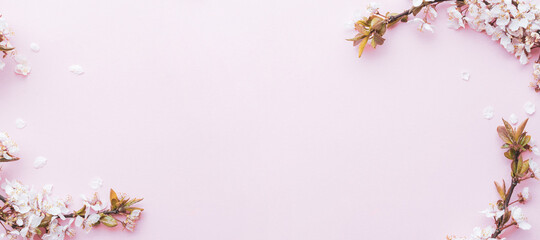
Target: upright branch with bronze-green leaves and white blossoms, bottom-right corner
[[505, 212]]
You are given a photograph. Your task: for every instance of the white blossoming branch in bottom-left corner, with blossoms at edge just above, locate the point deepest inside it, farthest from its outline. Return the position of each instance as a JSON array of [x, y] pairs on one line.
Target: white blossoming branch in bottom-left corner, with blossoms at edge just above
[[26, 212]]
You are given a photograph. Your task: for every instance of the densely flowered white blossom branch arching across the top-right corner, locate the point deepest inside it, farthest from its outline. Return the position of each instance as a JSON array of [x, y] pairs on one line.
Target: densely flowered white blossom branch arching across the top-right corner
[[515, 24]]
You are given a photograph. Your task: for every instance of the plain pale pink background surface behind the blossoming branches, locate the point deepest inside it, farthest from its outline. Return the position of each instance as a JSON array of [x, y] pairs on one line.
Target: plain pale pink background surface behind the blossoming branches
[[256, 120]]
